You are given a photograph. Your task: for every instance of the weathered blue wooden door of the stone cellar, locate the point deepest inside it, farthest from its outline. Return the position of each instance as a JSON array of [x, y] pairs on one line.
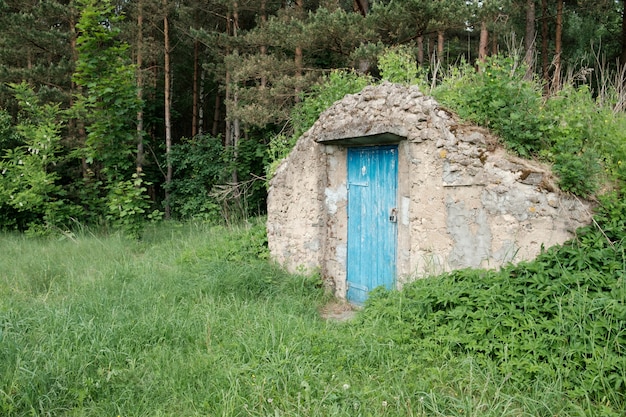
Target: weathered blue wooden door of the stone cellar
[[372, 227]]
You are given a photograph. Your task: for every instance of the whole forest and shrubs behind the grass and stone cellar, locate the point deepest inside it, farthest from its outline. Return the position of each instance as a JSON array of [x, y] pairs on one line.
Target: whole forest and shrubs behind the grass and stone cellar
[[114, 113]]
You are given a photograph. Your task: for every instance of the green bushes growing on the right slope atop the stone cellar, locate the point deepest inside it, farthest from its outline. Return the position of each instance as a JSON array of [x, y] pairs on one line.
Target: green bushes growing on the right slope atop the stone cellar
[[584, 141]]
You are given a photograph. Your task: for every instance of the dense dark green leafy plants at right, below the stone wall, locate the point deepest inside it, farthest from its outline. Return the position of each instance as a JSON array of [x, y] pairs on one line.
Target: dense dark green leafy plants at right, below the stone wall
[[558, 318]]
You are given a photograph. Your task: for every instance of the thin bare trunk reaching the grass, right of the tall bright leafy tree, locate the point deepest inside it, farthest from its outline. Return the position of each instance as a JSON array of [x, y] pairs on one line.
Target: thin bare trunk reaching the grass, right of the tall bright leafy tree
[[168, 103]]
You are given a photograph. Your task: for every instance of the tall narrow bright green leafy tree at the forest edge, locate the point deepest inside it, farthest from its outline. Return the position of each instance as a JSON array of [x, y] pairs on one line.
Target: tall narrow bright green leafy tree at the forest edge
[[108, 106]]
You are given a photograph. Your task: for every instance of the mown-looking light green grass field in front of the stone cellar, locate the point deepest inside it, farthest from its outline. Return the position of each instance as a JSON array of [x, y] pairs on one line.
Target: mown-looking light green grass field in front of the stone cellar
[[194, 321]]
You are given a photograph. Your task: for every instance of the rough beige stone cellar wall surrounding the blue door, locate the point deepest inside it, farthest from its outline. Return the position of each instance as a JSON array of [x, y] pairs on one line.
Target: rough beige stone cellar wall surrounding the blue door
[[463, 201]]
